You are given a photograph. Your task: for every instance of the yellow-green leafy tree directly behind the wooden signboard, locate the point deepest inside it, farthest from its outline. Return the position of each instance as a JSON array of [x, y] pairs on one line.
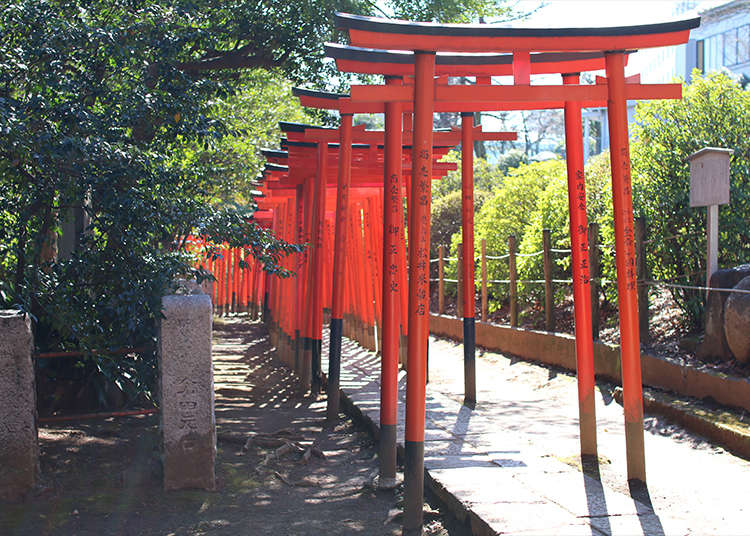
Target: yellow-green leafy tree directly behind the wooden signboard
[[714, 112]]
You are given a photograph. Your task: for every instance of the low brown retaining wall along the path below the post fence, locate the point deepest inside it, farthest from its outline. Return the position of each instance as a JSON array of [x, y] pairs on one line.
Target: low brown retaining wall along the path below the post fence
[[559, 349]]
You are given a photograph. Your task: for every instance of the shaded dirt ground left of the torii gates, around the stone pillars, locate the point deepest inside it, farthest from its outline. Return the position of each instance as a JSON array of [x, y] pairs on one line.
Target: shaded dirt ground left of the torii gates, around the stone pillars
[[103, 477]]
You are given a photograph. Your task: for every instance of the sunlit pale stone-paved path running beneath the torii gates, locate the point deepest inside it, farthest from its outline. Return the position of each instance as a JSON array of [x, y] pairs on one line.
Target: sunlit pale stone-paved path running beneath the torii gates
[[511, 465]]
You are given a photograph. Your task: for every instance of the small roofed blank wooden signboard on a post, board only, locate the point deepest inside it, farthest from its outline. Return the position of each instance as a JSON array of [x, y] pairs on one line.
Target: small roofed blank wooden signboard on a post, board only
[[709, 177]]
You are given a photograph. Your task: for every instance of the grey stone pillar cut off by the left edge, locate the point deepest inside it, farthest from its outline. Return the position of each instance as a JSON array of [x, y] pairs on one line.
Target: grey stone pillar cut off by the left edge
[[19, 450]]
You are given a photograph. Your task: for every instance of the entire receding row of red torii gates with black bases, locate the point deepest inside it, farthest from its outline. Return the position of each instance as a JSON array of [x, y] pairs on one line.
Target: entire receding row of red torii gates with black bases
[[342, 191]]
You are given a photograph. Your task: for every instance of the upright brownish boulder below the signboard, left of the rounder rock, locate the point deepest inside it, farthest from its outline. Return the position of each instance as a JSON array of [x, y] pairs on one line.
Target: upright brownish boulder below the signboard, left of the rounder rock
[[714, 344]]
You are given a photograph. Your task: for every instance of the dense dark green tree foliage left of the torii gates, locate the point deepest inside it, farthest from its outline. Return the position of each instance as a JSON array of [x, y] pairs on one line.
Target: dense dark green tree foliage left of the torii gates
[[134, 121]]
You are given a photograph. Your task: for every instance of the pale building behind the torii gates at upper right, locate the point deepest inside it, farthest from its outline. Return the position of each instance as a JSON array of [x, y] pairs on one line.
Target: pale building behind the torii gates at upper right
[[721, 42]]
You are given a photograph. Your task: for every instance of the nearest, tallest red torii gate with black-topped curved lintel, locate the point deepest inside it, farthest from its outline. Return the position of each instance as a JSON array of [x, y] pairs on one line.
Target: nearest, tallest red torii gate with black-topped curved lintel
[[425, 39]]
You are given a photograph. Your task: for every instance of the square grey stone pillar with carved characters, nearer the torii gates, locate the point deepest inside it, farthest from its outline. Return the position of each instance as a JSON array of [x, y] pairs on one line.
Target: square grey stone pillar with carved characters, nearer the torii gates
[[188, 424]]
